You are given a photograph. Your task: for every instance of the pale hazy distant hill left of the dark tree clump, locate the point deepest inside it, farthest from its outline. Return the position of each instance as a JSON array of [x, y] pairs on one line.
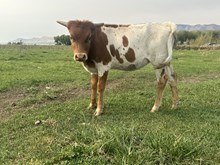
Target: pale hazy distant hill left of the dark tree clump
[[36, 41]]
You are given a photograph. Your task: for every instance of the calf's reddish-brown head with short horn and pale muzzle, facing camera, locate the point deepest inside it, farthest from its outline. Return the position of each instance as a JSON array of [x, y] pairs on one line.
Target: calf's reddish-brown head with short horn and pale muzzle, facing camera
[[81, 36]]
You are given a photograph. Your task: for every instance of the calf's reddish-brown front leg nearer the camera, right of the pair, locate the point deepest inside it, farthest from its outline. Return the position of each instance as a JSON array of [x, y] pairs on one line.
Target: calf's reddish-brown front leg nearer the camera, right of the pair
[[101, 87]]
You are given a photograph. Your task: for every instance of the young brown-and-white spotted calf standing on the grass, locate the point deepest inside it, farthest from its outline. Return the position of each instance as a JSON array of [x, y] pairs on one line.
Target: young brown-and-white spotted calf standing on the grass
[[101, 47]]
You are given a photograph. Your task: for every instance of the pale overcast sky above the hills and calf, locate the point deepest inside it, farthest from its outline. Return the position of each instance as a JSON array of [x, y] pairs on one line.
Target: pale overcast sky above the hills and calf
[[37, 18]]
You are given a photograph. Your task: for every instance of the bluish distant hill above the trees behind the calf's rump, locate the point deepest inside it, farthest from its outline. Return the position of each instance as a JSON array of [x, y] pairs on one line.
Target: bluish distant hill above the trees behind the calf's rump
[[198, 27]]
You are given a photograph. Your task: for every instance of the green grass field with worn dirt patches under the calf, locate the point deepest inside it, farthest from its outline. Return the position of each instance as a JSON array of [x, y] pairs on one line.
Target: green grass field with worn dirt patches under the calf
[[43, 84]]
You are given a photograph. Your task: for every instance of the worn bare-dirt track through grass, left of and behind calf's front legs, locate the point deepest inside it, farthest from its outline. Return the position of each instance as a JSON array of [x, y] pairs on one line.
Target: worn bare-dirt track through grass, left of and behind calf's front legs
[[16, 100]]
